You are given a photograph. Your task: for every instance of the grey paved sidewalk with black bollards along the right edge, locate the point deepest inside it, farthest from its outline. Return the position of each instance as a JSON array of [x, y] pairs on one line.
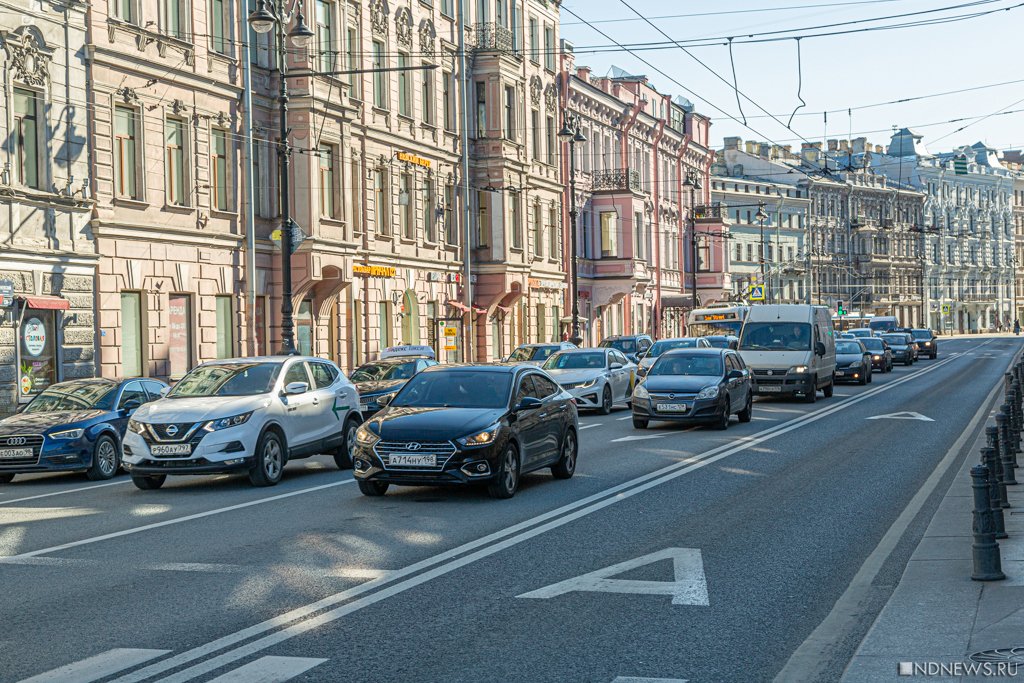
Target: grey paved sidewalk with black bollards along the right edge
[[937, 615]]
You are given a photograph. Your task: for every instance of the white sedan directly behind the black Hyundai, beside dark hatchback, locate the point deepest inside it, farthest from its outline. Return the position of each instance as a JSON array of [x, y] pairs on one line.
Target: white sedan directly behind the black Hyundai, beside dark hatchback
[[598, 378]]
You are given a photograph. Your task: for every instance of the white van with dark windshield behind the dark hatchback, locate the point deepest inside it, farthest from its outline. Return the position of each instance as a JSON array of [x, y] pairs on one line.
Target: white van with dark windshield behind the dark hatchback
[[791, 349]]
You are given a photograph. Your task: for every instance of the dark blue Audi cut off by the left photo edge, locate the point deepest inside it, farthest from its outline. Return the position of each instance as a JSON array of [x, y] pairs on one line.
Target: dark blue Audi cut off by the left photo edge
[[74, 426]]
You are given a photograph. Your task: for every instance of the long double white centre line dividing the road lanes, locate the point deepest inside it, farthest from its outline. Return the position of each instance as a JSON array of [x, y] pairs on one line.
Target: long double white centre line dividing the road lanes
[[302, 619]]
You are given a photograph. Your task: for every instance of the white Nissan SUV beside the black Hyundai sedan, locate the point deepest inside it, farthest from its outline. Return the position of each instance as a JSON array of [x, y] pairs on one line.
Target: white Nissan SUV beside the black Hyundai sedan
[[244, 415]]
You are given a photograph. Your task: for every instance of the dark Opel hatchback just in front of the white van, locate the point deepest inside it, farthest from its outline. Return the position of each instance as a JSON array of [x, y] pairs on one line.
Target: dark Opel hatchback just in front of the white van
[[695, 386]]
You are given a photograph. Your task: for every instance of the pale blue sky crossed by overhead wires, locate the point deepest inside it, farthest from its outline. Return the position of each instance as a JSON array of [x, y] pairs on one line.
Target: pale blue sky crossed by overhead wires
[[838, 72]]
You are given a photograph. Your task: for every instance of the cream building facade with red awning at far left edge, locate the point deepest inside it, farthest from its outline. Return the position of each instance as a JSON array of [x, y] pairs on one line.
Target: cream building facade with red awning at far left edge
[[48, 254]]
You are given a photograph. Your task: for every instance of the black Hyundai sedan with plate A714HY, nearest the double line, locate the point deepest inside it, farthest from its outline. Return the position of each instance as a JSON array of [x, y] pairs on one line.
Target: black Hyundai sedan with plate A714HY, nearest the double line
[[472, 424]]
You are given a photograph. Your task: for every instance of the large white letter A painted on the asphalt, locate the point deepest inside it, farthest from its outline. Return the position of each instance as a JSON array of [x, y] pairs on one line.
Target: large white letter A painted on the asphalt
[[689, 588]]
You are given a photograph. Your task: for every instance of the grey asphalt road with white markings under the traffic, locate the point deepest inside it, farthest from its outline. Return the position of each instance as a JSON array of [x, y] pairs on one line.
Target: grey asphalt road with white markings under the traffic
[[734, 547]]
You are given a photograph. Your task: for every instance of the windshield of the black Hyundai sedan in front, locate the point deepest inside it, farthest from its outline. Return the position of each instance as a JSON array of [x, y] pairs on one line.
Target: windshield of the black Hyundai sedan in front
[[456, 389]]
